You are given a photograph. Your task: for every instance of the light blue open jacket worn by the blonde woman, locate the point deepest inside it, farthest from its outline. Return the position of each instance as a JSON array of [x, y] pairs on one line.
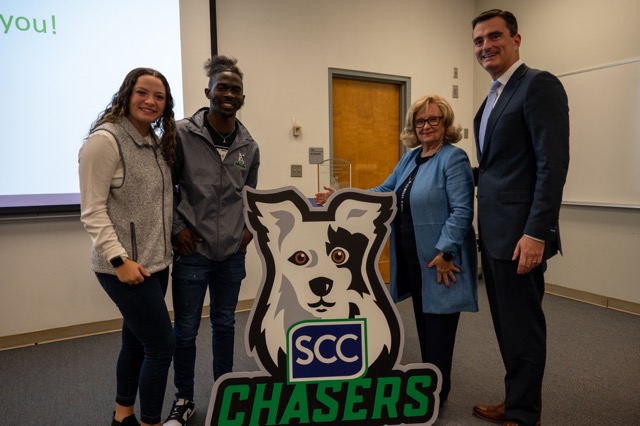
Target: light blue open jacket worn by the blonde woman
[[442, 210]]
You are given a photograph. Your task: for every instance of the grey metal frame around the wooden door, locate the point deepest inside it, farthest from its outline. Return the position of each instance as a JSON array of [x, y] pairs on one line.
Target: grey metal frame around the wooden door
[[402, 81]]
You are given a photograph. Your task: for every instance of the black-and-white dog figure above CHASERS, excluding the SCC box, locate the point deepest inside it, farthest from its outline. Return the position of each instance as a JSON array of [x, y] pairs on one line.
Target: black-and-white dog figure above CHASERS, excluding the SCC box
[[320, 263]]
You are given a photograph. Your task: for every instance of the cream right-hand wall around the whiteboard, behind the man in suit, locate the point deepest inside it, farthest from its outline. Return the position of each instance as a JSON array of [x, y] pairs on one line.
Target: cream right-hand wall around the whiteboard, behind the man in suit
[[601, 245]]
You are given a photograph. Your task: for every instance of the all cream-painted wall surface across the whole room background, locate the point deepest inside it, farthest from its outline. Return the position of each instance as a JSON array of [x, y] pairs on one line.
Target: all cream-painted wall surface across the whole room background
[[285, 48]]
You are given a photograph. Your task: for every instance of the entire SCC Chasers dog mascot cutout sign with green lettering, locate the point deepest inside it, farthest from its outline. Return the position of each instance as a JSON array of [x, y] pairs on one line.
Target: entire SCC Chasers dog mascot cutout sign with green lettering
[[323, 329]]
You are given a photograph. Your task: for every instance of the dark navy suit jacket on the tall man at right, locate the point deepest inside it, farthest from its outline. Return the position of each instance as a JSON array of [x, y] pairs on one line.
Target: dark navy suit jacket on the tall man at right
[[523, 167]]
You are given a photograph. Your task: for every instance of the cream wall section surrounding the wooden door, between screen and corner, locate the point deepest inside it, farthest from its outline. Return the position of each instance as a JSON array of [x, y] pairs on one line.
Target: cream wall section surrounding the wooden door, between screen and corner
[[285, 48]]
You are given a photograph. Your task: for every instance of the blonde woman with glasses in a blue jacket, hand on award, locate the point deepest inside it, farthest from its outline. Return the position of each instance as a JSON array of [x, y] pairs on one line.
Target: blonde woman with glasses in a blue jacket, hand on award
[[433, 245]]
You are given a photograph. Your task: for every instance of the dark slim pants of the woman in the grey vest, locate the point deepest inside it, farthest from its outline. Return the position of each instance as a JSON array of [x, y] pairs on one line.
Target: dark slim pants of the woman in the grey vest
[[147, 342]]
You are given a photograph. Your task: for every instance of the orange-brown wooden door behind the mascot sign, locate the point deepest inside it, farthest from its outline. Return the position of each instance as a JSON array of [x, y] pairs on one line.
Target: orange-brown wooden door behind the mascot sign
[[366, 128]]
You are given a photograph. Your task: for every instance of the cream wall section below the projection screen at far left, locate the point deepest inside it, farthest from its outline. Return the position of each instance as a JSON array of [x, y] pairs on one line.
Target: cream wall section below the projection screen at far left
[[45, 281]]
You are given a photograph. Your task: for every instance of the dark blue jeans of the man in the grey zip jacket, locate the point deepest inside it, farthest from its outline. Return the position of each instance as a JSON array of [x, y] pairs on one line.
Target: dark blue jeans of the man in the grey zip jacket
[[192, 275]]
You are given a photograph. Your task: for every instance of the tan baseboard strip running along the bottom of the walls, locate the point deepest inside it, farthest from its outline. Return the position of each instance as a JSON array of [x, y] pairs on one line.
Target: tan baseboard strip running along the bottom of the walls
[[110, 326]]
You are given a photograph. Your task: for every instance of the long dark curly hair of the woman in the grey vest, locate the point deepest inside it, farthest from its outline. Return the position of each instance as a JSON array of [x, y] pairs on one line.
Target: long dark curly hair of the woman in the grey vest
[[119, 107]]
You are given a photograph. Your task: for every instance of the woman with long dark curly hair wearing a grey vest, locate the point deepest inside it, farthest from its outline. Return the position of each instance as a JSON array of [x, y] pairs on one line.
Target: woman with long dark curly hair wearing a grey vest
[[127, 208]]
